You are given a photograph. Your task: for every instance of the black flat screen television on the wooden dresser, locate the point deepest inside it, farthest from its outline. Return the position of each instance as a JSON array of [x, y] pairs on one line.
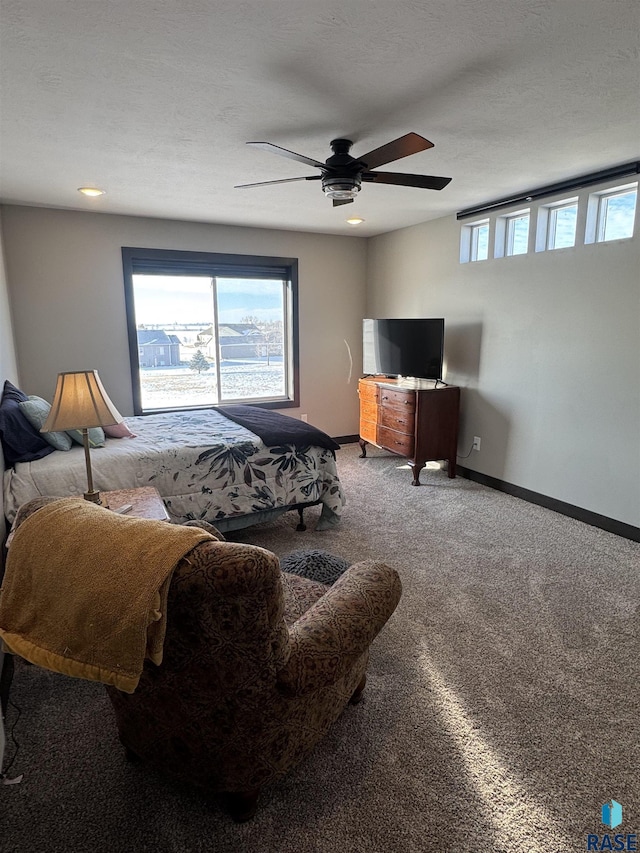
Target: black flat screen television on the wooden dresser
[[412, 348]]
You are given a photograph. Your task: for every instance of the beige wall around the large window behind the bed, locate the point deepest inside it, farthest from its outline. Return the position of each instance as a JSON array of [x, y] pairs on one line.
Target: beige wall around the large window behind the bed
[[66, 288]]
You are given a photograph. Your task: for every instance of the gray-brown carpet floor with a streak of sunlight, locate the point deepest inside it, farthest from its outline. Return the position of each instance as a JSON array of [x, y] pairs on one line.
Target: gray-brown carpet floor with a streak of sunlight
[[502, 707]]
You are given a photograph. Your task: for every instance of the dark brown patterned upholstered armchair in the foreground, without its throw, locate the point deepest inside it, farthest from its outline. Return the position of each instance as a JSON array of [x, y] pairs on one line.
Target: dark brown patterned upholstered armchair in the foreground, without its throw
[[257, 664]]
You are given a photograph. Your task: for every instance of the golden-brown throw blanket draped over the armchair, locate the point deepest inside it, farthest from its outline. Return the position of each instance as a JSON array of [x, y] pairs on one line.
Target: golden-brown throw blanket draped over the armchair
[[85, 590]]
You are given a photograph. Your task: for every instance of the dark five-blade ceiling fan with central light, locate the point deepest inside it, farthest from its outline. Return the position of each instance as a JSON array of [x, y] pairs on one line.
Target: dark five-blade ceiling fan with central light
[[342, 175]]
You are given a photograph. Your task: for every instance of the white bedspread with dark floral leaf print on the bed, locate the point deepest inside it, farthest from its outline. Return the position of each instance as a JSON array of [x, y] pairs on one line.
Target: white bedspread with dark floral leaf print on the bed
[[204, 466]]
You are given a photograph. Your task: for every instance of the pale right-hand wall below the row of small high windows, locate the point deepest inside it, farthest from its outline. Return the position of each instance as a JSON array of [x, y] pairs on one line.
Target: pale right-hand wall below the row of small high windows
[[547, 349]]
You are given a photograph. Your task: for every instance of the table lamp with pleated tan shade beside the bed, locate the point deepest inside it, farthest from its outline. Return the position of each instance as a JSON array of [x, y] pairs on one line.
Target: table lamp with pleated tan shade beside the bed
[[80, 402]]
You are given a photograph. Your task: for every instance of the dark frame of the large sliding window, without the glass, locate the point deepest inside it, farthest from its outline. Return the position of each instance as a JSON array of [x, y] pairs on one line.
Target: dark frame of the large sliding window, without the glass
[[221, 265]]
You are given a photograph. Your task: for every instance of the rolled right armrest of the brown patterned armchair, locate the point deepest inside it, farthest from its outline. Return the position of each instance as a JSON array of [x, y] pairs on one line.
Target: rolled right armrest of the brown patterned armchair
[[338, 629]]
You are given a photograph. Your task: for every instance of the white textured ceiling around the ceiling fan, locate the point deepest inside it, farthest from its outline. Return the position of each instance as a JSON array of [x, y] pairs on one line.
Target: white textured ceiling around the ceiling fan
[[153, 101]]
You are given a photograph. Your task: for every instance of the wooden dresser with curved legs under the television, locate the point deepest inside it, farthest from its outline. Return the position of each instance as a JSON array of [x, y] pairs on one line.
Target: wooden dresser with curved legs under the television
[[412, 418]]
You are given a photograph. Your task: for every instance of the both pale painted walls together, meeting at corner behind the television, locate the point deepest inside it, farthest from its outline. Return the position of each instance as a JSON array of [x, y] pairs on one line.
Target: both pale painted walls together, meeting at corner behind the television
[[546, 346]]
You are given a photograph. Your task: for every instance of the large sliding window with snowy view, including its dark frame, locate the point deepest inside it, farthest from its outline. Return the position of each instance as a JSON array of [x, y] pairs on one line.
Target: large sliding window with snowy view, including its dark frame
[[208, 329]]
